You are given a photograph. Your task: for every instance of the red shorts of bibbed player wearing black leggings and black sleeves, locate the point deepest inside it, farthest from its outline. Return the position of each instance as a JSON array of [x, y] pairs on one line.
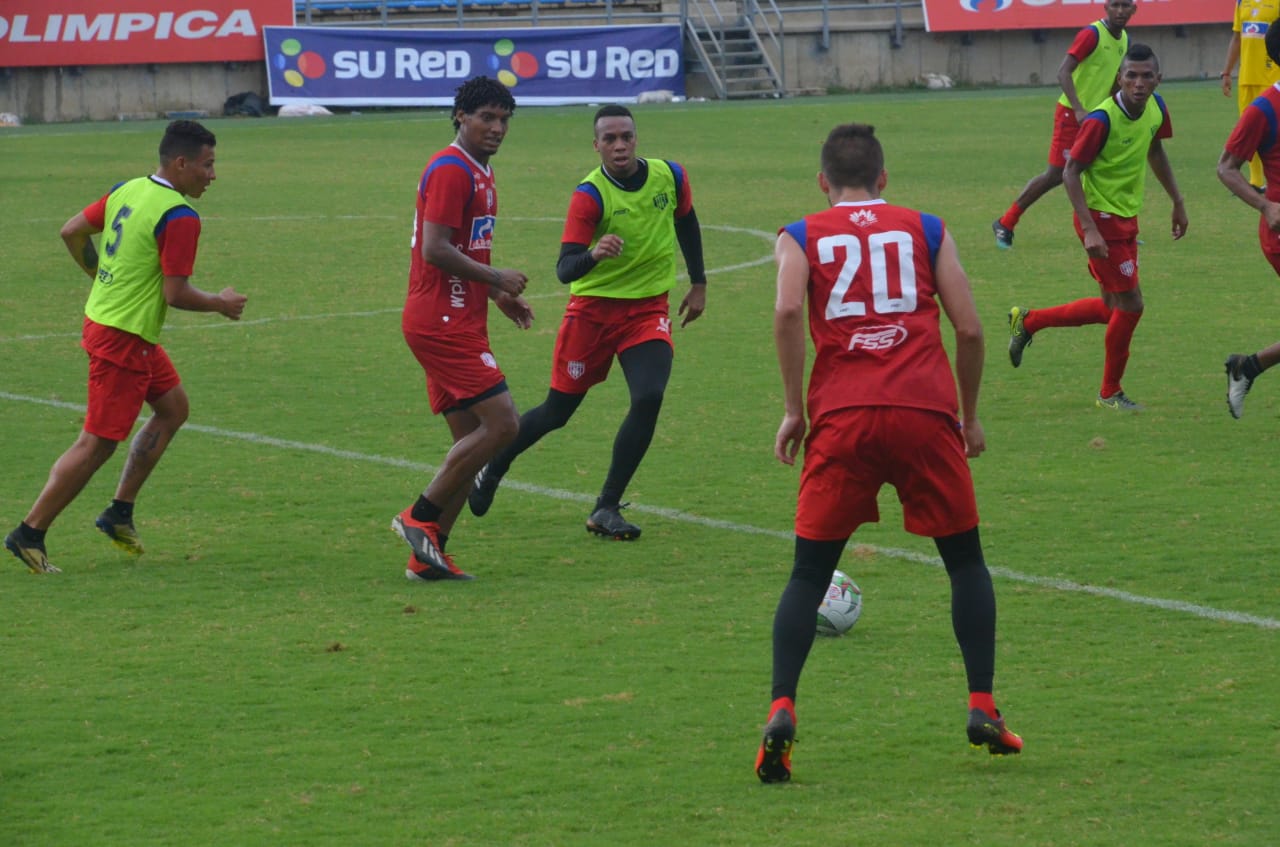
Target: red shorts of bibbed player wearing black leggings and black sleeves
[[596, 329]]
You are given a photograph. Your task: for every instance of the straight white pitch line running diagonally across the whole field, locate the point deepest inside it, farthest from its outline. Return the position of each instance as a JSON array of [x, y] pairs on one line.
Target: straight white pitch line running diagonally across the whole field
[[688, 518]]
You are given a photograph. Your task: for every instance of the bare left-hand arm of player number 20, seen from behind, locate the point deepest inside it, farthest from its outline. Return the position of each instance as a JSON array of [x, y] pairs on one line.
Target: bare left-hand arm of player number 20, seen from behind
[[792, 342]]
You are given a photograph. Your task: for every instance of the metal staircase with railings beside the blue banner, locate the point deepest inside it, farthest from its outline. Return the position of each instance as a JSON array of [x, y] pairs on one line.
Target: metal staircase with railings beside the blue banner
[[728, 47]]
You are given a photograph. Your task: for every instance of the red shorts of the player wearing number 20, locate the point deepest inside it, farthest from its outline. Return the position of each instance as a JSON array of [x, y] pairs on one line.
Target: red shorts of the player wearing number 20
[[852, 454]]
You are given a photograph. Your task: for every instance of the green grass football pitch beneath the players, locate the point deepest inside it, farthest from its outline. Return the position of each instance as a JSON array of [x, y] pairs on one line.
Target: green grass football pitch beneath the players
[[267, 676]]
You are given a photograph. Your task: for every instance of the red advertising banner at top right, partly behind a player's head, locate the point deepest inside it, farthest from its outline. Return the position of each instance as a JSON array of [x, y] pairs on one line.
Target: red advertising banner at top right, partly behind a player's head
[[977, 16]]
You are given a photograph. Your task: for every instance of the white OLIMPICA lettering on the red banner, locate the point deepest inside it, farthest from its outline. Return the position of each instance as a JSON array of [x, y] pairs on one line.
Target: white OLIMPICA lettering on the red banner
[[196, 24]]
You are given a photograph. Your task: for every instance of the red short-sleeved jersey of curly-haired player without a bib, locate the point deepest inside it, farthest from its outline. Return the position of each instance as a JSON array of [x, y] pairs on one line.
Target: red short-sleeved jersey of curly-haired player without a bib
[[458, 193]]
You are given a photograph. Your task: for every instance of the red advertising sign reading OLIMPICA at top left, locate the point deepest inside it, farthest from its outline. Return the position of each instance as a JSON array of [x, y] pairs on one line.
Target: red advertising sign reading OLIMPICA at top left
[[129, 33]]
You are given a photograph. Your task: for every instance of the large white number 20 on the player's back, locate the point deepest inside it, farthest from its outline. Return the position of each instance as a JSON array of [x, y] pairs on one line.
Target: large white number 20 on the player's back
[[852, 271]]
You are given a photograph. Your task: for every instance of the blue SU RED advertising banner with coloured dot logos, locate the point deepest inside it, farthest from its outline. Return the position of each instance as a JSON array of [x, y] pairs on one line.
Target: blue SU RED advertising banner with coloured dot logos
[[424, 67]]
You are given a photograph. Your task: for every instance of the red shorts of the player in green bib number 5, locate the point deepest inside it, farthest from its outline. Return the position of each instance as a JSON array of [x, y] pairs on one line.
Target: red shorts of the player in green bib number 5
[[125, 372]]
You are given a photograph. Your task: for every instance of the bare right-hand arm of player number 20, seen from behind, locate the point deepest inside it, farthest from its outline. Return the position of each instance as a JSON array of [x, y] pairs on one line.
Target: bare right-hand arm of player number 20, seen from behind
[[956, 295]]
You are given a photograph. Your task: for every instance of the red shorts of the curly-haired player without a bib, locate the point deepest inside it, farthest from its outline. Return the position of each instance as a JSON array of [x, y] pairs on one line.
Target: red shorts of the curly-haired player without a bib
[[460, 369]]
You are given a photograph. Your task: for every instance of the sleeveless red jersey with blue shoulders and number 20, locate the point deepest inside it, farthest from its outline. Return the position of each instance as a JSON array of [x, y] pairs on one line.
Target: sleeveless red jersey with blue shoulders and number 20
[[874, 312]]
